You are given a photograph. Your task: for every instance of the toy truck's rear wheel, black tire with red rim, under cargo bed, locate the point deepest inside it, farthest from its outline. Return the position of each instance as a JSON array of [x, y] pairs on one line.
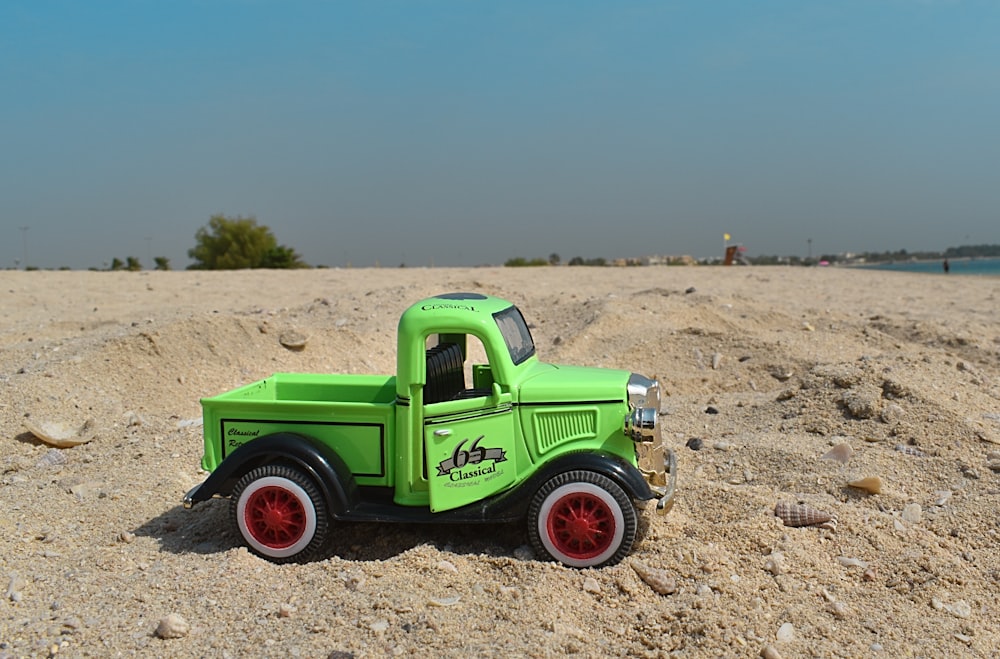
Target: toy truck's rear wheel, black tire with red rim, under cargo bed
[[280, 514]]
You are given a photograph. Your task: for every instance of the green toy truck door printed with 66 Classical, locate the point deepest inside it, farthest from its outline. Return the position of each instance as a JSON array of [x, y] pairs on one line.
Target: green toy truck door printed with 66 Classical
[[470, 449]]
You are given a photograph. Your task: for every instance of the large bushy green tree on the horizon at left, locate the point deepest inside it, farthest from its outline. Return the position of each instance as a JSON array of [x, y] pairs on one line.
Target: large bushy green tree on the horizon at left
[[238, 243]]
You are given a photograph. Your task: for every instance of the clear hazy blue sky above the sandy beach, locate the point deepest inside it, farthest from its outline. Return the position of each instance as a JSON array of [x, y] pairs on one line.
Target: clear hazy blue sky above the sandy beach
[[465, 132]]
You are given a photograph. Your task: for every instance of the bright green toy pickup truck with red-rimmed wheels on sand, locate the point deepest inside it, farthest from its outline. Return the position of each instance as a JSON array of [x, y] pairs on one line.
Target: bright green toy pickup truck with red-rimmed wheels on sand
[[568, 448]]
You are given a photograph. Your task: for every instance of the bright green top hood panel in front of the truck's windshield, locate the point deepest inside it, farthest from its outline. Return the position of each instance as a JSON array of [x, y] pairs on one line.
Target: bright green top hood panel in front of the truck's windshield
[[552, 383]]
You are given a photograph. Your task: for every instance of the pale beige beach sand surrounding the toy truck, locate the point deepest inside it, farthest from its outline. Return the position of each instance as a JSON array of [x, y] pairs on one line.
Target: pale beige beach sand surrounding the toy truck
[[767, 369]]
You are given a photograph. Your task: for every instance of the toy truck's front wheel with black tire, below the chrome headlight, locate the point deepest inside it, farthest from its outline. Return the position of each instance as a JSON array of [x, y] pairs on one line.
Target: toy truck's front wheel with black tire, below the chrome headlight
[[582, 519]]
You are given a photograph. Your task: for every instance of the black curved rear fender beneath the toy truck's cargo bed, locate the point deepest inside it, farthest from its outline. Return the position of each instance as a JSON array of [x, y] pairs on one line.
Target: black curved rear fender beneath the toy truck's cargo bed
[[318, 460]]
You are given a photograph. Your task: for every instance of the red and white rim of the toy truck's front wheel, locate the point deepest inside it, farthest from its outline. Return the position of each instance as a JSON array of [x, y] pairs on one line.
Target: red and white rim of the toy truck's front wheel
[[581, 525]]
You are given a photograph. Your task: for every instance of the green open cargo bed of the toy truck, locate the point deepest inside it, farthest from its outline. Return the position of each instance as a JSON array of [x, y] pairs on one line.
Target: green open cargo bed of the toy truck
[[353, 414]]
